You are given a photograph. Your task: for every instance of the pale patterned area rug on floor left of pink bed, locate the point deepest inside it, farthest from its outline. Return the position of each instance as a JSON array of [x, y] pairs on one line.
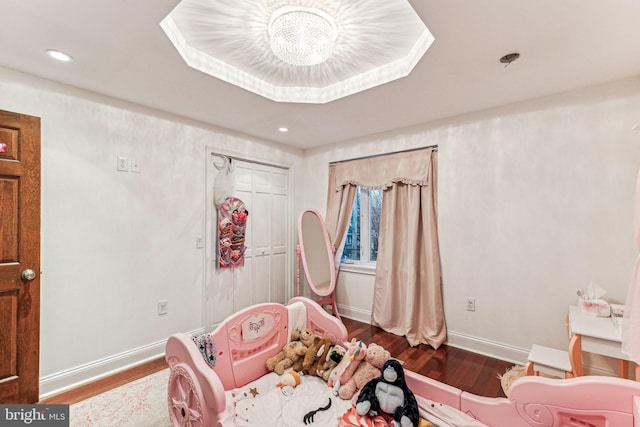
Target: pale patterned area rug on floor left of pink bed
[[141, 403]]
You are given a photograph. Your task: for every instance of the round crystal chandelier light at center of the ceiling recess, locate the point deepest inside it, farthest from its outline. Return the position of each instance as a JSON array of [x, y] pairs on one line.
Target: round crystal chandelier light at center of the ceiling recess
[[302, 36]]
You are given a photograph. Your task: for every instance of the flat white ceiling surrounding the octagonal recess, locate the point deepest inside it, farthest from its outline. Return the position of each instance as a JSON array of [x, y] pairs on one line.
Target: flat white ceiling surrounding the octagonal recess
[[120, 50]]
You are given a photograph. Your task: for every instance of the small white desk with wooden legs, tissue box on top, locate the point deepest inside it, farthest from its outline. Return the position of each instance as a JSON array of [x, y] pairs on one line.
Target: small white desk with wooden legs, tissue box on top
[[595, 334]]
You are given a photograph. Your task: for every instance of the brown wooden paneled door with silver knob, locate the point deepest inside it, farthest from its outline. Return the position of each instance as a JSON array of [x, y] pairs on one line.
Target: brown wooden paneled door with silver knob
[[19, 256]]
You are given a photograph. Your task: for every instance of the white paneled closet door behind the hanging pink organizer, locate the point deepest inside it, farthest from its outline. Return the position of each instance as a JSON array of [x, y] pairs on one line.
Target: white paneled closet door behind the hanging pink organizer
[[267, 271]]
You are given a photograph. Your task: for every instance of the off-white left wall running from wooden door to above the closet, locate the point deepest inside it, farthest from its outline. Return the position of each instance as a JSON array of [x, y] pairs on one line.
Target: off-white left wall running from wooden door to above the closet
[[115, 243]]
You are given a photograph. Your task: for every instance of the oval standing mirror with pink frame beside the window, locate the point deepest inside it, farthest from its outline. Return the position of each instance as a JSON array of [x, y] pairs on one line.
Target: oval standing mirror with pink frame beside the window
[[317, 253]]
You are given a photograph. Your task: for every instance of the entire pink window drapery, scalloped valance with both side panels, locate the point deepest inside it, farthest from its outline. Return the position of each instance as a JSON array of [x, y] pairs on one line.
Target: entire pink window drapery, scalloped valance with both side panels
[[408, 293]]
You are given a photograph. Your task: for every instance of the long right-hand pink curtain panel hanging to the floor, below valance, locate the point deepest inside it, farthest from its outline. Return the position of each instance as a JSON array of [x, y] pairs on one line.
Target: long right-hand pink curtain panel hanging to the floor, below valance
[[408, 293]]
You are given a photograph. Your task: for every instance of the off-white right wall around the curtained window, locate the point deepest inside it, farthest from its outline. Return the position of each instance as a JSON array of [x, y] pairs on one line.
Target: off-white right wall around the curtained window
[[535, 200]]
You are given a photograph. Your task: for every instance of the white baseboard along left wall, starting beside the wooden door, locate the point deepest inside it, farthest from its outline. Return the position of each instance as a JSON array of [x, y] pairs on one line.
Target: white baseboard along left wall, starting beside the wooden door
[[83, 374]]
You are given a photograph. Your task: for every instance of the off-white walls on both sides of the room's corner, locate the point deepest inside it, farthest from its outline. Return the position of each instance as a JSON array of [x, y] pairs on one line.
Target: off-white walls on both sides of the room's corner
[[535, 200]]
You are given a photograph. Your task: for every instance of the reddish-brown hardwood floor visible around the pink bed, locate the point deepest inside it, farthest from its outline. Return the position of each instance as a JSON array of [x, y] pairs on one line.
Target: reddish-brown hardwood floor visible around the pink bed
[[459, 368]]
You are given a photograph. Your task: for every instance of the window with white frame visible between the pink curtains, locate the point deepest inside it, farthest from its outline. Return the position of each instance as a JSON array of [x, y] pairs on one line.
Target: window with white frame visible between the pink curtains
[[364, 227]]
